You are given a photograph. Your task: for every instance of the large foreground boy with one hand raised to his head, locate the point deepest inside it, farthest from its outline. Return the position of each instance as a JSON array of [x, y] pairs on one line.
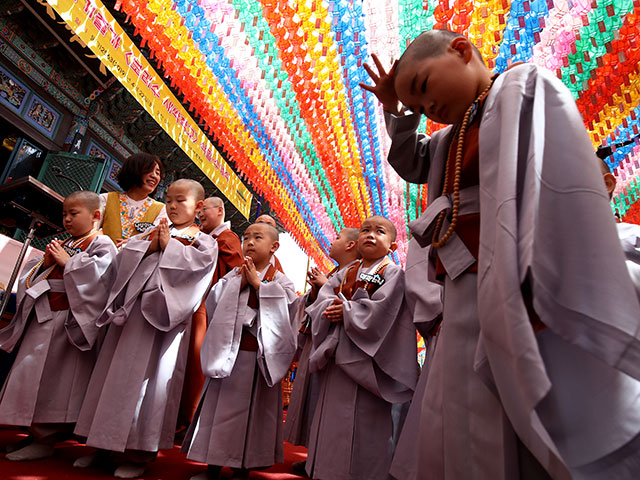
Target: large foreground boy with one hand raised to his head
[[525, 244]]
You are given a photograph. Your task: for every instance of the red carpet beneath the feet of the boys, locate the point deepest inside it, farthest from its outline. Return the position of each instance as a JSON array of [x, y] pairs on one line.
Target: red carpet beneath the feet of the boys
[[170, 465]]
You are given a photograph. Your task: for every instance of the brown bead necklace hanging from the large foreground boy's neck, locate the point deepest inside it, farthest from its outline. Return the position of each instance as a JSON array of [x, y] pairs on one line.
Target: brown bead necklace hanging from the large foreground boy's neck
[[462, 130]]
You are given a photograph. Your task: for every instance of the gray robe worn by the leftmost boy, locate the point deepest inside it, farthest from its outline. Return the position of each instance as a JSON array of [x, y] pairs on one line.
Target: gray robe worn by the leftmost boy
[[48, 380]]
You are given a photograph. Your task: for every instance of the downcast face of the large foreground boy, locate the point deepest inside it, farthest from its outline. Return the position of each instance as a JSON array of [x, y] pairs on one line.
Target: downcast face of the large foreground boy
[[441, 87]]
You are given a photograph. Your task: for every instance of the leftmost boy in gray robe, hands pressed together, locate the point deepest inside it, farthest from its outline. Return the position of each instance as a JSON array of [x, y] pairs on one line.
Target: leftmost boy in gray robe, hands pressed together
[[60, 297]]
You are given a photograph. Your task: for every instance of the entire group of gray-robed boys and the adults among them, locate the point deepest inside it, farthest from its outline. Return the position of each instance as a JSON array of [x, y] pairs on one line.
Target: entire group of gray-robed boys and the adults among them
[[525, 293]]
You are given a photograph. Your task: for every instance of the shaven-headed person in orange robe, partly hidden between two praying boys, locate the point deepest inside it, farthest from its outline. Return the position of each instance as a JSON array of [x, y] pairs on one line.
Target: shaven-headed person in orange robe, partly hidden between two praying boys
[[229, 256]]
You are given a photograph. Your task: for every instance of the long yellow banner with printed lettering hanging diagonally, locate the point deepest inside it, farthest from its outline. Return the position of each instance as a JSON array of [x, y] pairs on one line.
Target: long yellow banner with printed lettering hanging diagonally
[[96, 27]]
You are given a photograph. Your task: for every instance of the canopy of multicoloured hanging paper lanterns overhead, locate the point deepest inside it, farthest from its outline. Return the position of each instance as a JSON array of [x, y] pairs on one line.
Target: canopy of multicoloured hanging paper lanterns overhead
[[275, 84]]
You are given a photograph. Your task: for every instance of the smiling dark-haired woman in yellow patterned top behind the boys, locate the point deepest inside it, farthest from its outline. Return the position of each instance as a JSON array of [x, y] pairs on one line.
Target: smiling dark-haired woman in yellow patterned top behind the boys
[[127, 214]]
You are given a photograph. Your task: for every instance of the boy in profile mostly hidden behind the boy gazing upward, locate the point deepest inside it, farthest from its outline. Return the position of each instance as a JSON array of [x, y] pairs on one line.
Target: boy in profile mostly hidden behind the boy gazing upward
[[304, 396]]
